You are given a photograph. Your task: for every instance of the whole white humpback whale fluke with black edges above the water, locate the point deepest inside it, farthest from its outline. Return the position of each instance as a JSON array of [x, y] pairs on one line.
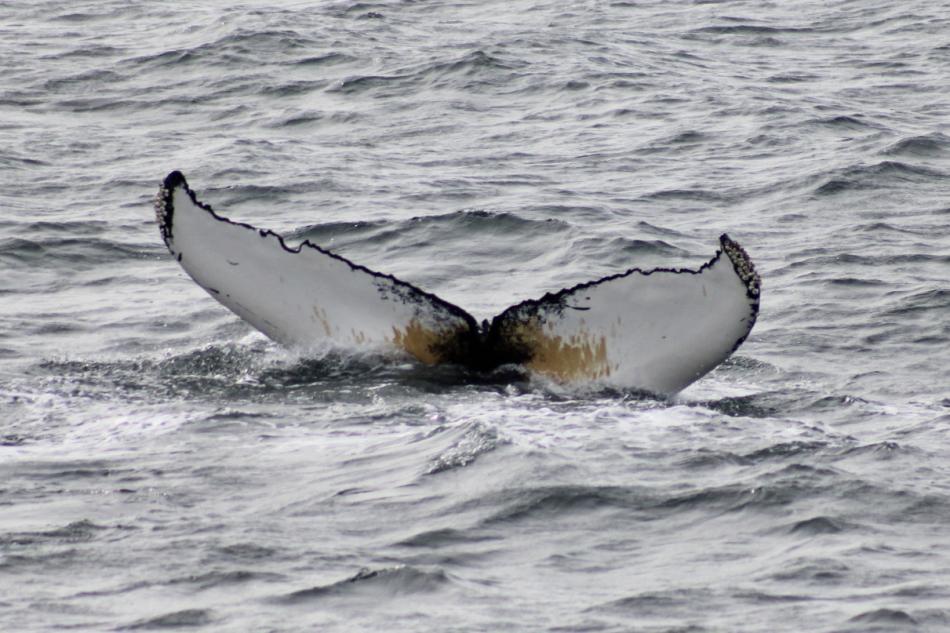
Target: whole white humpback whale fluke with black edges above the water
[[654, 330]]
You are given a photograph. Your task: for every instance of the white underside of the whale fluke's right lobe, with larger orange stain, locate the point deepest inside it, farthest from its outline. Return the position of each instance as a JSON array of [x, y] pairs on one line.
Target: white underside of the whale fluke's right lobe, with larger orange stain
[[658, 331]]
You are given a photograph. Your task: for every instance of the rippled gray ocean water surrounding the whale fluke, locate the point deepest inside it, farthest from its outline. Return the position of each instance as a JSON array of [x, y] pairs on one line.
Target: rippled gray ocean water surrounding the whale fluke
[[163, 466]]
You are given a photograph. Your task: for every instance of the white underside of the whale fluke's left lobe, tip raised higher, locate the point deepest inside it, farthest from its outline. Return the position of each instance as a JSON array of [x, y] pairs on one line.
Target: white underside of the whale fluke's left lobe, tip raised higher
[[300, 296]]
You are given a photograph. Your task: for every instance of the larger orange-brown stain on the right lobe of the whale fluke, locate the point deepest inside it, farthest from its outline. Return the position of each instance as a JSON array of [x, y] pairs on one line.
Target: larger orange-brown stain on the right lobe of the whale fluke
[[580, 356]]
